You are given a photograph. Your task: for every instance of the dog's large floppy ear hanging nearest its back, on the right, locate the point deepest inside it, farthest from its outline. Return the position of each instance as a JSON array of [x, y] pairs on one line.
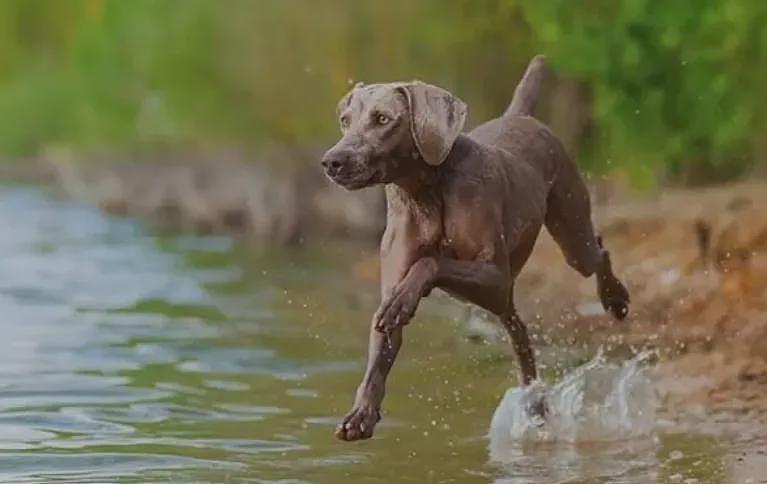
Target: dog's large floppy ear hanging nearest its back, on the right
[[436, 119]]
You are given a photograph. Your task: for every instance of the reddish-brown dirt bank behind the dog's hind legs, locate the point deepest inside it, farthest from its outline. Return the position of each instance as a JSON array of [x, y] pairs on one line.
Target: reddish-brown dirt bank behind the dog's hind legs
[[696, 263]]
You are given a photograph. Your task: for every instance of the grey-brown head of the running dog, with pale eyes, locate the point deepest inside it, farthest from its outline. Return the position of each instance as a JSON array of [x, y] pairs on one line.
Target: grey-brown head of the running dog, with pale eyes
[[389, 131]]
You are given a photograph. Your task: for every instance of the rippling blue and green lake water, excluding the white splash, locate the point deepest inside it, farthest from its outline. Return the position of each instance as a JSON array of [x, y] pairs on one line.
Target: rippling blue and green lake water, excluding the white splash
[[131, 357]]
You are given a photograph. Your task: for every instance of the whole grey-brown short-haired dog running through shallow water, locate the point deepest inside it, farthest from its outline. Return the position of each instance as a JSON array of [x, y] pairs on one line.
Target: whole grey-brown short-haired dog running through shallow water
[[463, 212]]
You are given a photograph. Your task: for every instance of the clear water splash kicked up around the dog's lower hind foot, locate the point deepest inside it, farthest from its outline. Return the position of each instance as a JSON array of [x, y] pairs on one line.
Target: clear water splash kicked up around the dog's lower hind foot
[[596, 402]]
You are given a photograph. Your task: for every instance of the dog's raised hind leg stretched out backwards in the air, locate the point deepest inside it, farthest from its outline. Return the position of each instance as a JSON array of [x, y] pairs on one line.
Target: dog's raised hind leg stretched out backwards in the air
[[568, 220]]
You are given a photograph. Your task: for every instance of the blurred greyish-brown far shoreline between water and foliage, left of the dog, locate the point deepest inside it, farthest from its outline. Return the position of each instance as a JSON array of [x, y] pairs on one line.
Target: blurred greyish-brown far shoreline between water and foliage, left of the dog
[[279, 203]]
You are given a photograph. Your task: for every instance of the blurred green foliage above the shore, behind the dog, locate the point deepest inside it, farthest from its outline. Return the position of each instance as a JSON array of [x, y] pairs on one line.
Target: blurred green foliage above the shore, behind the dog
[[673, 87]]
